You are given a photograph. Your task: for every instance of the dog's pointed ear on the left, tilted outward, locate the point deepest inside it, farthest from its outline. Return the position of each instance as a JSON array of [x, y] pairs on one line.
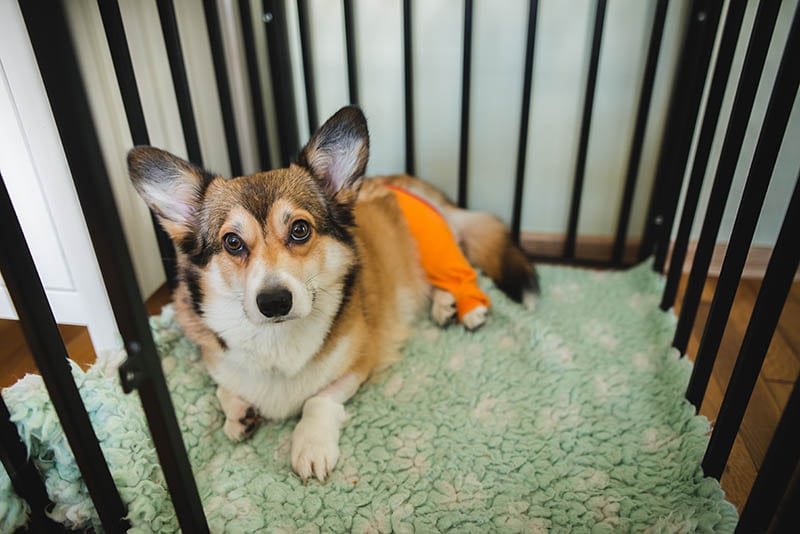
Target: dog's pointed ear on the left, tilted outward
[[172, 187]]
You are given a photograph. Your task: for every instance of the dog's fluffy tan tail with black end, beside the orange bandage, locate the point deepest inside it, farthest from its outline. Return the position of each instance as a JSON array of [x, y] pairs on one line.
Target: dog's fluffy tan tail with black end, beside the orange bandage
[[487, 244]]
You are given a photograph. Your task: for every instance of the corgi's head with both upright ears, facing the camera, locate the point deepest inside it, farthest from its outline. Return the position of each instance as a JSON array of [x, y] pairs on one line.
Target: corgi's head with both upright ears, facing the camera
[[267, 248]]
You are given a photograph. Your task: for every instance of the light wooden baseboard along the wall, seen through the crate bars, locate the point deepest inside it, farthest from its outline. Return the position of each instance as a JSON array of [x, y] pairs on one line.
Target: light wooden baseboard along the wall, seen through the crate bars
[[598, 247]]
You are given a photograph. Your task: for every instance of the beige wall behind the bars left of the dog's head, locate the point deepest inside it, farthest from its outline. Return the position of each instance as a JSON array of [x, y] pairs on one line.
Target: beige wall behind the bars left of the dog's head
[[148, 54]]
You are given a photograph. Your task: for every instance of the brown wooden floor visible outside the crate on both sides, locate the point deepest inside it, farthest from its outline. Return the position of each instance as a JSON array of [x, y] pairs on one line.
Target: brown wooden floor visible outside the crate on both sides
[[772, 389]]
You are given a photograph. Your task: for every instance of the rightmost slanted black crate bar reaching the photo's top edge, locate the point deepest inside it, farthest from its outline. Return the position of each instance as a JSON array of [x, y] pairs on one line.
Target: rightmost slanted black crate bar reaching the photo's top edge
[[729, 158]]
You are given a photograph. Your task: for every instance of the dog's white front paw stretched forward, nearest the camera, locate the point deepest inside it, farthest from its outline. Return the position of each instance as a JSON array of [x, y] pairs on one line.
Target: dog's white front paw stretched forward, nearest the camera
[[315, 440]]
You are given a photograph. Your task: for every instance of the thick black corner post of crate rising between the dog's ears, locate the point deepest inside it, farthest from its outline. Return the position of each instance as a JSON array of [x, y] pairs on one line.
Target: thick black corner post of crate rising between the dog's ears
[[281, 70]]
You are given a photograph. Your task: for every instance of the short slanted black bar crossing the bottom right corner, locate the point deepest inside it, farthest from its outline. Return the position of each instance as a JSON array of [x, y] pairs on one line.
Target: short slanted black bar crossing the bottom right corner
[[782, 458]]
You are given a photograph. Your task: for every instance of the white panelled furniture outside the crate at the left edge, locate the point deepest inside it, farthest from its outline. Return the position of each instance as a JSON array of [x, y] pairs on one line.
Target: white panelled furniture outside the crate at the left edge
[[39, 183]]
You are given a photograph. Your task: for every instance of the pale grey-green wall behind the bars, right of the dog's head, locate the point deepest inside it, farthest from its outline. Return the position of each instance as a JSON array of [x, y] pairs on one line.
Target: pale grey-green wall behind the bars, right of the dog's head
[[561, 58]]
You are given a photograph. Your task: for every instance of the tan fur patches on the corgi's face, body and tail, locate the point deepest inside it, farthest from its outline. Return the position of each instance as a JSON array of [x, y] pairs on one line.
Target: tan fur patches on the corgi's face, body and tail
[[389, 268]]
